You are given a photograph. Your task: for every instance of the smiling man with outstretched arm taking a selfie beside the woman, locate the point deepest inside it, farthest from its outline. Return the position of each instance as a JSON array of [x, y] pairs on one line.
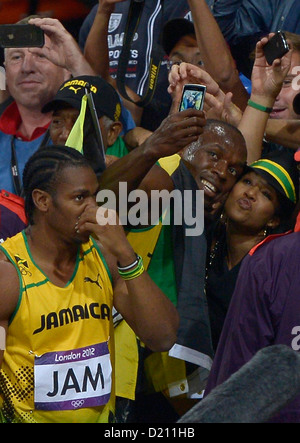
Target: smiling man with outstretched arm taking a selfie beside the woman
[[211, 163]]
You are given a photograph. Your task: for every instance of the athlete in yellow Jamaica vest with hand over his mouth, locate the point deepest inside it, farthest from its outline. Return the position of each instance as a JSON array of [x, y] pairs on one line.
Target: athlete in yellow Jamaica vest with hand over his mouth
[[57, 292]]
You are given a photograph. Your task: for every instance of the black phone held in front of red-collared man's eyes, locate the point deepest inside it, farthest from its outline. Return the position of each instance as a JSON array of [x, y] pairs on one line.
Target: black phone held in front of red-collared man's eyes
[[21, 36]]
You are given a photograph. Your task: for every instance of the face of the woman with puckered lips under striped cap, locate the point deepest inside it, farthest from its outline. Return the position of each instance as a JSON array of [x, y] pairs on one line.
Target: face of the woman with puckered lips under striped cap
[[252, 203]]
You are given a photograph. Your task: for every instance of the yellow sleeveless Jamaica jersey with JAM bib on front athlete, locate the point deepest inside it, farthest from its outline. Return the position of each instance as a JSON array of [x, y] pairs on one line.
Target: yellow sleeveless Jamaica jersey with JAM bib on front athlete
[[57, 365]]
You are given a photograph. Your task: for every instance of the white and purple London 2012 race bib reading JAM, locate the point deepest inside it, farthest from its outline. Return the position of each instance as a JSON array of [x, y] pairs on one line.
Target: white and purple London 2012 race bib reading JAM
[[75, 379]]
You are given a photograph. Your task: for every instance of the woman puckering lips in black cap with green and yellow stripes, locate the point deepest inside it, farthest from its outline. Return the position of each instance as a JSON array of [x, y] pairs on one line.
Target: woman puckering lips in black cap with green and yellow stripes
[[259, 205]]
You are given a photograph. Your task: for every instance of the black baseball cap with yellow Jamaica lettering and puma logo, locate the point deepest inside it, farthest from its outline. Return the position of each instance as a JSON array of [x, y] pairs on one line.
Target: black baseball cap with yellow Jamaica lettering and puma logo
[[106, 99]]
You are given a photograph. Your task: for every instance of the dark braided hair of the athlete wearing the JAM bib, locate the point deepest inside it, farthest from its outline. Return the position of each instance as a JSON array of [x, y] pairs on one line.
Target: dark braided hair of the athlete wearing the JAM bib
[[43, 169]]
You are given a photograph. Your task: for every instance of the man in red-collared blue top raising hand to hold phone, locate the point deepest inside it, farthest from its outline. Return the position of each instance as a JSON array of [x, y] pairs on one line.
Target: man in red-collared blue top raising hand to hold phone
[[32, 81]]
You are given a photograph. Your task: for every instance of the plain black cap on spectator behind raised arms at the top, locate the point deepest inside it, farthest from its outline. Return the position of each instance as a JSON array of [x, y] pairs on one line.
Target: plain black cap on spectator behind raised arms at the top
[[174, 30]]
